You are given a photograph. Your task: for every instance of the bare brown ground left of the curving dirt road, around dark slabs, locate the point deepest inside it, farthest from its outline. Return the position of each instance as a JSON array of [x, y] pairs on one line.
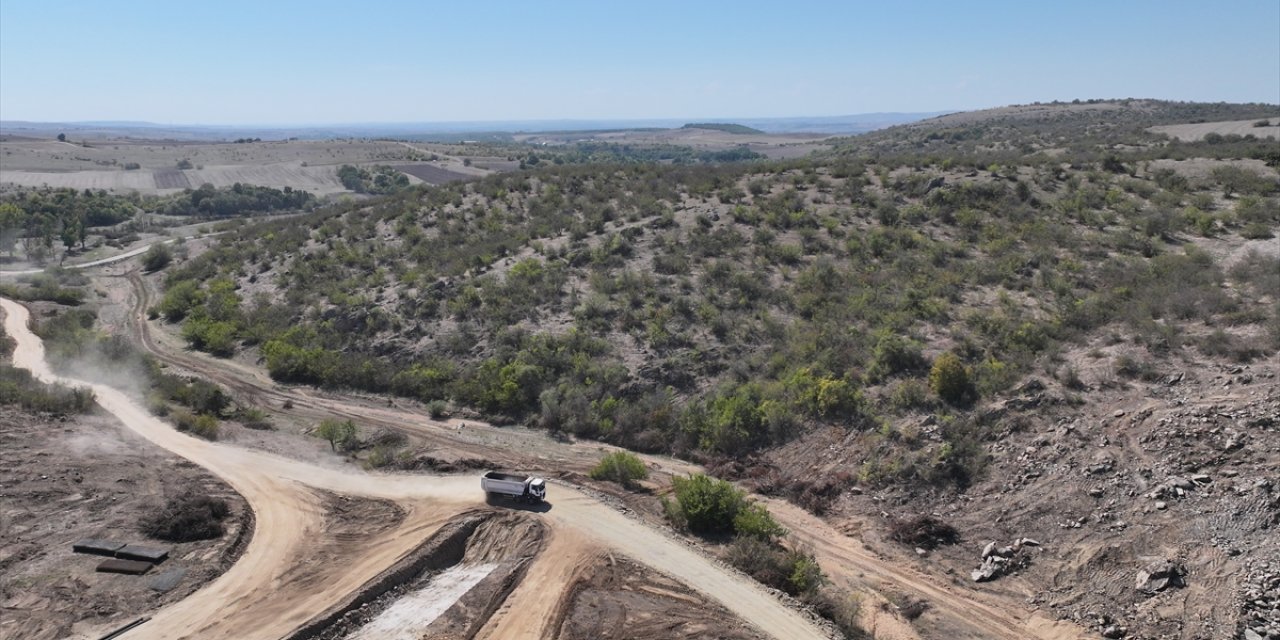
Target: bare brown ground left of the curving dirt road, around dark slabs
[[66, 479]]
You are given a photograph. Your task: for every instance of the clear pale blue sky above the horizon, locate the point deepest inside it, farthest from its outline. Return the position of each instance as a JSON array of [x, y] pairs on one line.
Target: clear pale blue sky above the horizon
[[268, 62]]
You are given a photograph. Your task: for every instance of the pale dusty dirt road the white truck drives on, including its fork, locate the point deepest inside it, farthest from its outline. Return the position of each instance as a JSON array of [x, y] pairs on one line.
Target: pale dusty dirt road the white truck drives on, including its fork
[[259, 598]]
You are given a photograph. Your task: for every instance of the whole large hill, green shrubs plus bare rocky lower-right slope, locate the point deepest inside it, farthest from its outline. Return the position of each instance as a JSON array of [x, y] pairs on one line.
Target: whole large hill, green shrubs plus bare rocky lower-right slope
[[1040, 323]]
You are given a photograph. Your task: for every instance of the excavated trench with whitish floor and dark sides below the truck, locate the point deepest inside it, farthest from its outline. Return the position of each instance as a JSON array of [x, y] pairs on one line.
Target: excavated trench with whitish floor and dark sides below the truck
[[446, 589]]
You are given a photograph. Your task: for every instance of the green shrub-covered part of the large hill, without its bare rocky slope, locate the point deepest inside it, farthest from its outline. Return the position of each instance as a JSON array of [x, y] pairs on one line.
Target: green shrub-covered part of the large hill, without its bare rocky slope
[[886, 305]]
